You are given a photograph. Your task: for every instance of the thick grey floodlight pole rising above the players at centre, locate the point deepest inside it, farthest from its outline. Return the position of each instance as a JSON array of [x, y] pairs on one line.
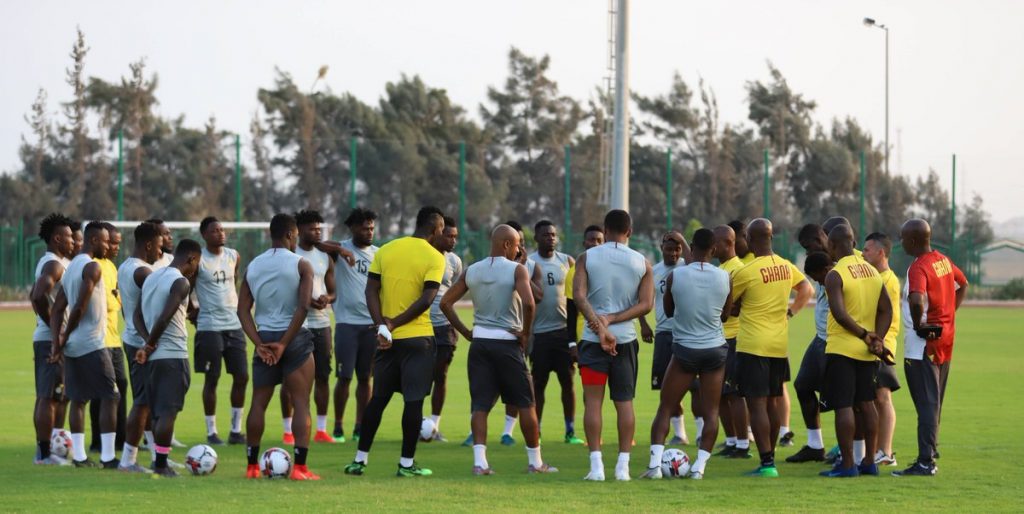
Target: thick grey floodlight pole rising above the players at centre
[[621, 149]]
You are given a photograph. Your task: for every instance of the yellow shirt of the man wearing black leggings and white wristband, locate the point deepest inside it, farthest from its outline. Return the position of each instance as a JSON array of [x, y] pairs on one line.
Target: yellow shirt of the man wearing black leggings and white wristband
[[404, 266]]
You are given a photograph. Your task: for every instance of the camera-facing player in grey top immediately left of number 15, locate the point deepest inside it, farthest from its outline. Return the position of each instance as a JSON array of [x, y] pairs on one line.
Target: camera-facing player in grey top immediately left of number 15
[[318, 321]]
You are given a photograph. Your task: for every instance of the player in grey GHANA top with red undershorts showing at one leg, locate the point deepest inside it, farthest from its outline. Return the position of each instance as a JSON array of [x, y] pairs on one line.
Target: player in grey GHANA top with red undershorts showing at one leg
[[613, 287]]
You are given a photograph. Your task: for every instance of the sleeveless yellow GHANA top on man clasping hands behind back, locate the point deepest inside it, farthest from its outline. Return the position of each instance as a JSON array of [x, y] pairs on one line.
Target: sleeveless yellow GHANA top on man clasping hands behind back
[[862, 288]]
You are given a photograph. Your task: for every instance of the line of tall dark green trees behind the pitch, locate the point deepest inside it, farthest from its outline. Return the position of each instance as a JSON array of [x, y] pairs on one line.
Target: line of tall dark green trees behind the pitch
[[297, 154]]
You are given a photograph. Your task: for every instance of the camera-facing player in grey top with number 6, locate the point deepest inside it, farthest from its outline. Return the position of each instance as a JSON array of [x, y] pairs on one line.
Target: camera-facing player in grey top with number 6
[[551, 352]]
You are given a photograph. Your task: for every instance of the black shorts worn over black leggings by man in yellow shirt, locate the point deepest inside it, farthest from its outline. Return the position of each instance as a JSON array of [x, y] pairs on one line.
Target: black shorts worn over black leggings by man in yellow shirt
[[408, 367]]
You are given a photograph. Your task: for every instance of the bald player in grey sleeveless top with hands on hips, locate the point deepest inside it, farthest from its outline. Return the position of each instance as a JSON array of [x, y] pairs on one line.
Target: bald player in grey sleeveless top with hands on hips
[[501, 291]]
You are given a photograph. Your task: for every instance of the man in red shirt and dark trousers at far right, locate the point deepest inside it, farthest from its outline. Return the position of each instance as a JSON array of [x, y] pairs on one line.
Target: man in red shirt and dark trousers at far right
[[935, 289]]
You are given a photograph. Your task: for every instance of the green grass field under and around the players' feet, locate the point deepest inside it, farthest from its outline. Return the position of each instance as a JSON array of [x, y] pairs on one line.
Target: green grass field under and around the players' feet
[[982, 448]]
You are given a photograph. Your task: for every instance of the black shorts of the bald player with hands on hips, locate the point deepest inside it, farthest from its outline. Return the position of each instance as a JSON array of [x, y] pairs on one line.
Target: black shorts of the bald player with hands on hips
[[498, 368]]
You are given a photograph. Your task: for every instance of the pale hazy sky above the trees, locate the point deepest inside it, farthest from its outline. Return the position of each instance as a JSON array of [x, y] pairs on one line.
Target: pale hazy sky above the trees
[[957, 69]]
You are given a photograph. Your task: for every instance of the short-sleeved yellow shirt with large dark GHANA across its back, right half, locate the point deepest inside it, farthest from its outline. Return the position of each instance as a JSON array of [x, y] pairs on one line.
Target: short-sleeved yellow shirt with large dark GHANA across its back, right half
[[763, 289]]
